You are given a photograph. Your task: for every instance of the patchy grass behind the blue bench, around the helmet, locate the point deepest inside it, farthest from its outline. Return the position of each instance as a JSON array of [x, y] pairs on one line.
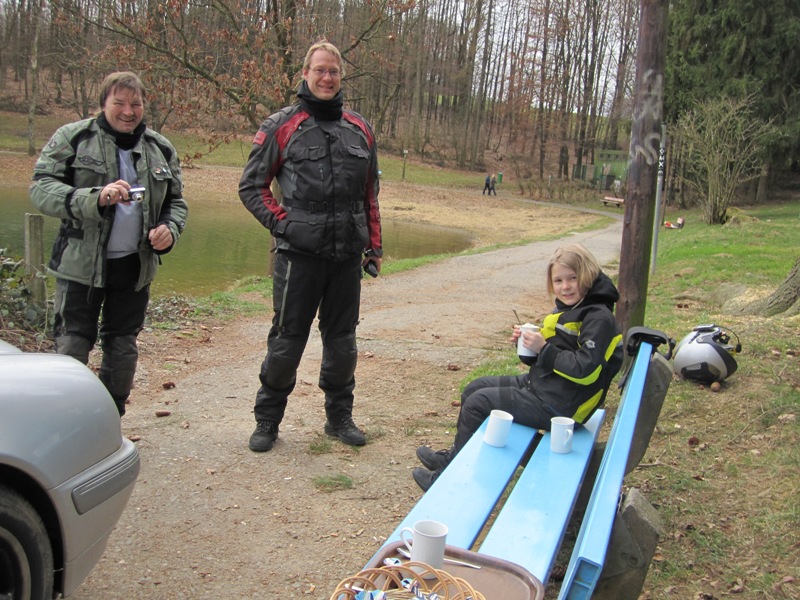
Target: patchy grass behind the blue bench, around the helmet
[[735, 496]]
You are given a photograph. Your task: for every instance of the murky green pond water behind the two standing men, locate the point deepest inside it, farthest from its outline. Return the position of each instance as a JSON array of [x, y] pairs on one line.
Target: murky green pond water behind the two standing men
[[223, 243]]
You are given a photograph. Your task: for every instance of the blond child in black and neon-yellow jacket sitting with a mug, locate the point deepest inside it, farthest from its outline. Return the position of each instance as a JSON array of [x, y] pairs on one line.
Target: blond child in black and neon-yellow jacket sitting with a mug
[[579, 351]]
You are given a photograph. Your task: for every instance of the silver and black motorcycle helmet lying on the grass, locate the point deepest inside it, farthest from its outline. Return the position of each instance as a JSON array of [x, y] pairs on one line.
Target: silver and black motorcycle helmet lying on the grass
[[705, 355]]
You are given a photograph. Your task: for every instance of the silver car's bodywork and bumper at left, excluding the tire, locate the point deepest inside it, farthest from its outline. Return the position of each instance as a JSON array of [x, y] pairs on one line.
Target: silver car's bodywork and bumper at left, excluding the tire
[[61, 446]]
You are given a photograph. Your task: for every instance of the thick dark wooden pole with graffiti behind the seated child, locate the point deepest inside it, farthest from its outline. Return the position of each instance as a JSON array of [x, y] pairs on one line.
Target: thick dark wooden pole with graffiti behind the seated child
[[637, 232]]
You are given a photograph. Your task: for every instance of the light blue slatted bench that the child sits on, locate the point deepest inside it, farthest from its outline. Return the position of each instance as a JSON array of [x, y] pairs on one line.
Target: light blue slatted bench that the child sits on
[[530, 526]]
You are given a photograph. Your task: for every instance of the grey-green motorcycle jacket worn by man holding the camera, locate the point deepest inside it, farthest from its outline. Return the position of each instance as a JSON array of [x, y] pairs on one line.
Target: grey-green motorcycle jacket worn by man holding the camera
[[77, 162]]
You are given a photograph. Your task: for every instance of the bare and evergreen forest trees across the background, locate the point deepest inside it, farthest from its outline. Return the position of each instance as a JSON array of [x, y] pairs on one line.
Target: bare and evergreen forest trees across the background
[[491, 85]]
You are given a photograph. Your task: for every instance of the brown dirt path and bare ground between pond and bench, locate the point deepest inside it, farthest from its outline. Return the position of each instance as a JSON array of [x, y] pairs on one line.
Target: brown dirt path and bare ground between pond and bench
[[210, 519]]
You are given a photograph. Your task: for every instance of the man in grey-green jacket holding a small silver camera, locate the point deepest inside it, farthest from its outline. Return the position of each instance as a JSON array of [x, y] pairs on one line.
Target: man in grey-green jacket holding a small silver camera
[[118, 190]]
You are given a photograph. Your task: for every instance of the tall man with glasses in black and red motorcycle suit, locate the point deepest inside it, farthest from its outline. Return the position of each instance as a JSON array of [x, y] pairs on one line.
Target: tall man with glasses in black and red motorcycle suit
[[326, 228]]
